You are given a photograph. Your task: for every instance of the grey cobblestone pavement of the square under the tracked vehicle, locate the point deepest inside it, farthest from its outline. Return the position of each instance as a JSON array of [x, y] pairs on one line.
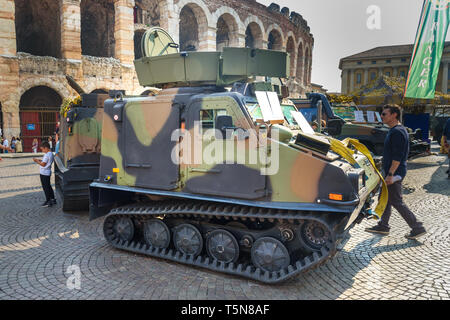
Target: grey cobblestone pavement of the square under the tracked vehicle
[[37, 246]]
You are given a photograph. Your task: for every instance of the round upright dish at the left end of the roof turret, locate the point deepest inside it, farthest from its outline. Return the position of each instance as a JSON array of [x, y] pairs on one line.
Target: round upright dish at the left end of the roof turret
[[157, 42]]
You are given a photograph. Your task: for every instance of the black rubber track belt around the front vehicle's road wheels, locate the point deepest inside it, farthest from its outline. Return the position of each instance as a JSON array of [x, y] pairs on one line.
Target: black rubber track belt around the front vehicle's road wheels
[[230, 212]]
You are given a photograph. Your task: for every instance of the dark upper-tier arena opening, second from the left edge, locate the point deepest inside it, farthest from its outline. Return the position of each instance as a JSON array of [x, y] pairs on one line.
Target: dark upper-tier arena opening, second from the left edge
[[97, 28]]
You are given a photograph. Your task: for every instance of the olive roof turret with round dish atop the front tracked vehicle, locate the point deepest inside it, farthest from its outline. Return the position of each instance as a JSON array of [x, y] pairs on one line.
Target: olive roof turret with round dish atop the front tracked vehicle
[[163, 66]]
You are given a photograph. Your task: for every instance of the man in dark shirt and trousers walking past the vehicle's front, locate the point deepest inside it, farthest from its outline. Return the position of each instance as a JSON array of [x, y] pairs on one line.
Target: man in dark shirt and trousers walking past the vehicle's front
[[395, 154]]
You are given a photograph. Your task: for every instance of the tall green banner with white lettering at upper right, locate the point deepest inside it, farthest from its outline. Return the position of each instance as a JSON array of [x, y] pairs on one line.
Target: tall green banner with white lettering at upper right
[[428, 48]]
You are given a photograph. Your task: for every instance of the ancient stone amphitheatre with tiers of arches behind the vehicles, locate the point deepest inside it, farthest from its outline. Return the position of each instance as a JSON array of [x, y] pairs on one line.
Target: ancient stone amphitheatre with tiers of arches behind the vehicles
[[96, 41]]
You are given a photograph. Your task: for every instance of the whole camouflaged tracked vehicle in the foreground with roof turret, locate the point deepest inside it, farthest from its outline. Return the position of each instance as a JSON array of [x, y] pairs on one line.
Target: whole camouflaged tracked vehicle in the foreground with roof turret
[[269, 219]]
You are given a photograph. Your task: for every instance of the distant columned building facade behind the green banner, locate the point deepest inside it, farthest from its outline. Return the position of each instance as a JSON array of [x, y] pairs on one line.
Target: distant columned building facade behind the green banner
[[361, 68]]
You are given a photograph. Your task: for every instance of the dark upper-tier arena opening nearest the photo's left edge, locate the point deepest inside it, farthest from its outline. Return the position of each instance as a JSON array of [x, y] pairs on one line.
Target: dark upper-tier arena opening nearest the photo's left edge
[[38, 29]]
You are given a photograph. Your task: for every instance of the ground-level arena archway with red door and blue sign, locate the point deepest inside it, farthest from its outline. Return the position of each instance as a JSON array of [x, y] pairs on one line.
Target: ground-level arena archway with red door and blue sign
[[39, 112]]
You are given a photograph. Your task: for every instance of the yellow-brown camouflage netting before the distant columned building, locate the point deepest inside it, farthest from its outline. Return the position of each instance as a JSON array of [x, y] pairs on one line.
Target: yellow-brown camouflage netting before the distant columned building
[[386, 90]]
